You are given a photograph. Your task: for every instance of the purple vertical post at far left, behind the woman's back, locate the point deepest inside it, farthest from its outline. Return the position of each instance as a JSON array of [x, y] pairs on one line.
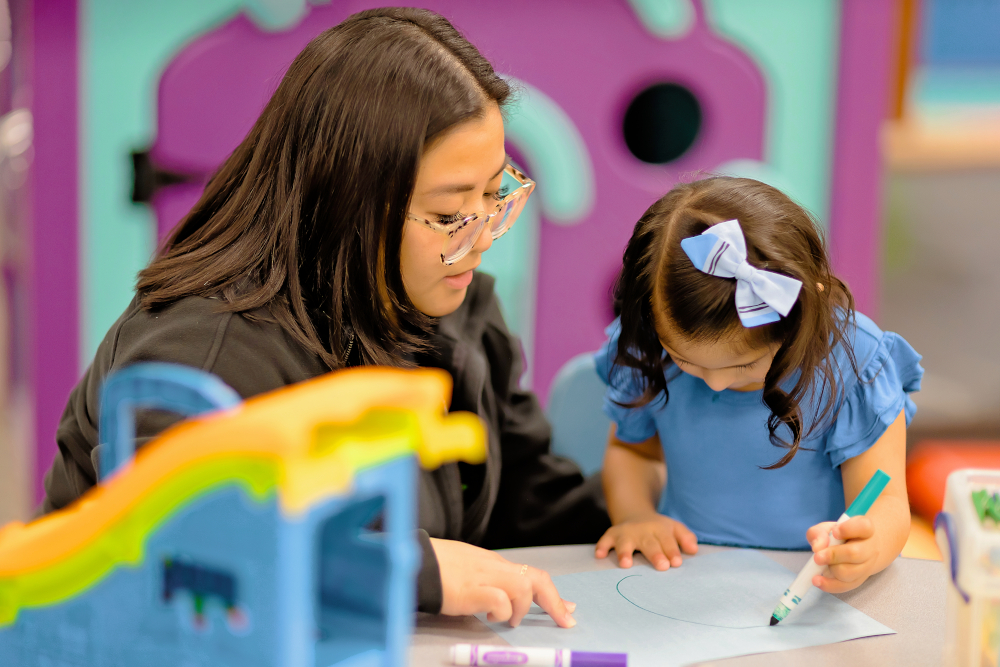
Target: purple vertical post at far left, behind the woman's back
[[54, 315]]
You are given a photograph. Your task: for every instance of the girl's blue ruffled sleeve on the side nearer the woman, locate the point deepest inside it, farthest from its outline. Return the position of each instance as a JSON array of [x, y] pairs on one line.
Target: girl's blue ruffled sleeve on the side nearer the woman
[[633, 425]]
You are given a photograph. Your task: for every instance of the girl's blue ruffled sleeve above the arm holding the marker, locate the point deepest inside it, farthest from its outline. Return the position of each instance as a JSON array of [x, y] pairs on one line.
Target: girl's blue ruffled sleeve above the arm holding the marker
[[873, 400]]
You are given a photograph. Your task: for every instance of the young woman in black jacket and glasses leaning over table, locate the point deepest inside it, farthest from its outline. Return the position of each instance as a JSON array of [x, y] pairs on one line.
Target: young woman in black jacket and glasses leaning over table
[[346, 230]]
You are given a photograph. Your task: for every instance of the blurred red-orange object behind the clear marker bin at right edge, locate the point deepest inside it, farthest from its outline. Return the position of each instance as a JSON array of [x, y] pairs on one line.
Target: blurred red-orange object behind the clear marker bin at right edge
[[932, 461]]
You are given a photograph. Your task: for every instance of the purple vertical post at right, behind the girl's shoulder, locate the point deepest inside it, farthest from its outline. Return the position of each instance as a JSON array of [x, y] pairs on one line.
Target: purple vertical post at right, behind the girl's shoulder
[[863, 97]]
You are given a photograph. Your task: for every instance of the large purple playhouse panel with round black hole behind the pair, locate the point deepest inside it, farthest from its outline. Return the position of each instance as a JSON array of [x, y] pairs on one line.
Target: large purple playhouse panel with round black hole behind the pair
[[592, 67]]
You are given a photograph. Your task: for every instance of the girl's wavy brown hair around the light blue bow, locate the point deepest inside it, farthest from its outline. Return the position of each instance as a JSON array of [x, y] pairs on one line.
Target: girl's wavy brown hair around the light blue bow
[[781, 237]]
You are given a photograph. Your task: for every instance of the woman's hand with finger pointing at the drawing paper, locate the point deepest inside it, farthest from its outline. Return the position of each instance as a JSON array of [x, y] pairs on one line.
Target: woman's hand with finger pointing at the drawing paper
[[475, 580]]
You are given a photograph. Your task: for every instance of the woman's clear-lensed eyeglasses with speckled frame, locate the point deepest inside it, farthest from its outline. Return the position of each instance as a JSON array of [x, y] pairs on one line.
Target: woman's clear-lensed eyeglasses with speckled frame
[[463, 232]]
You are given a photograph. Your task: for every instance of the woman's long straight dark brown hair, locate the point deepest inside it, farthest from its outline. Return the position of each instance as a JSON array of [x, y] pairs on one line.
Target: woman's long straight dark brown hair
[[305, 218]]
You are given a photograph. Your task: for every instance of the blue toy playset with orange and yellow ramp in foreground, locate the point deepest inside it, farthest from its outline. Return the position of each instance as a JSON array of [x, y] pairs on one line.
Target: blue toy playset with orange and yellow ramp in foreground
[[275, 532]]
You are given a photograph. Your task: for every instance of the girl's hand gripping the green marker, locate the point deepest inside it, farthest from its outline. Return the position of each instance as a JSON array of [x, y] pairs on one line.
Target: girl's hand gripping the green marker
[[849, 564]]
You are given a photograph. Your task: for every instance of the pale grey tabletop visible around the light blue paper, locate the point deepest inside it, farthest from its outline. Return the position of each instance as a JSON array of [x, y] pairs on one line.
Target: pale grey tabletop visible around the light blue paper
[[908, 596]]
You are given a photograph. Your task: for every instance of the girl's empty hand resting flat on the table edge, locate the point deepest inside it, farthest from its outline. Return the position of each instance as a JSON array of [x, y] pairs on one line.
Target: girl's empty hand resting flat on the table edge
[[660, 539]]
